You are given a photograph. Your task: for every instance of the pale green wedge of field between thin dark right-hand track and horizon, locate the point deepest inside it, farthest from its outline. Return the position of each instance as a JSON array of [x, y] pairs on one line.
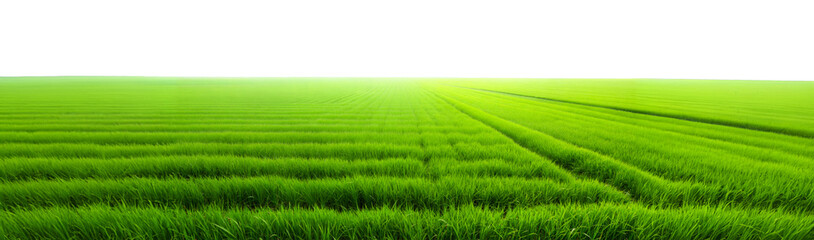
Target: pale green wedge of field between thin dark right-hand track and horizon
[[781, 107]]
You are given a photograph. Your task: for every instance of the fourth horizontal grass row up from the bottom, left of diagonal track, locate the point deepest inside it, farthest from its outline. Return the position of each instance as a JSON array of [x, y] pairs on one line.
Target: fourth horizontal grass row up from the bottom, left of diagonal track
[[460, 151]]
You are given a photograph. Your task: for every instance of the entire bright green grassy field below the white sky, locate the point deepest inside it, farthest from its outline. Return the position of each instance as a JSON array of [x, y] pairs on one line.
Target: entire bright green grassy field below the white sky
[[364, 158]]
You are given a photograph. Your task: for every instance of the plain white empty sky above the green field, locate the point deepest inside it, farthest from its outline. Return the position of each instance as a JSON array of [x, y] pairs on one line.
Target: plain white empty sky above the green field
[[704, 39]]
